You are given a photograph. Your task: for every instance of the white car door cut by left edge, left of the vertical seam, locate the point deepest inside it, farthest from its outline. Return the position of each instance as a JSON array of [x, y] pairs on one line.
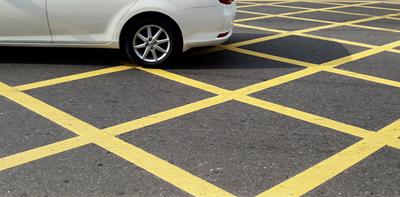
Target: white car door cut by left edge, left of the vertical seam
[[23, 21]]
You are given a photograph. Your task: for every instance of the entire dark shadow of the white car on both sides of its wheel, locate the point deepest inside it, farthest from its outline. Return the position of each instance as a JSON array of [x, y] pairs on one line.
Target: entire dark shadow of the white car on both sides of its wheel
[[304, 50]]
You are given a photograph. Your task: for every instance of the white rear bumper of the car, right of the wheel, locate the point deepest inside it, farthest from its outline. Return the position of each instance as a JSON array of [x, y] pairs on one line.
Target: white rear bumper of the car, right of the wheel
[[201, 26]]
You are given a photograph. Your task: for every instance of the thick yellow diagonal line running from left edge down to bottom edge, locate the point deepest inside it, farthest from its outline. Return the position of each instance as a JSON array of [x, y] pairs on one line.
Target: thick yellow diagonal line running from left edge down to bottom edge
[[160, 168]]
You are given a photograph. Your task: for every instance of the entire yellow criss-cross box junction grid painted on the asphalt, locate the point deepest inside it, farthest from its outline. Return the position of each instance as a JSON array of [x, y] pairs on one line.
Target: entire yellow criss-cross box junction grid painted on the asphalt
[[296, 186]]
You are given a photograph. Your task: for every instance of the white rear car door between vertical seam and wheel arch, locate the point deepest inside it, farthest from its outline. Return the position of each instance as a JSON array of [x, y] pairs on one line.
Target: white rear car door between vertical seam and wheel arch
[[85, 21]]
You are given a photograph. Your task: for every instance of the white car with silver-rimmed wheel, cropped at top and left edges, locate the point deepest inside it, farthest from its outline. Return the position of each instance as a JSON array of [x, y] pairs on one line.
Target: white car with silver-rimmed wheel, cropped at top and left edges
[[151, 32]]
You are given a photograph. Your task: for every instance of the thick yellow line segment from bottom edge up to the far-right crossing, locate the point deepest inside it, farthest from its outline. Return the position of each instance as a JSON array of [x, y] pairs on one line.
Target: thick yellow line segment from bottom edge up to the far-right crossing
[[324, 171]]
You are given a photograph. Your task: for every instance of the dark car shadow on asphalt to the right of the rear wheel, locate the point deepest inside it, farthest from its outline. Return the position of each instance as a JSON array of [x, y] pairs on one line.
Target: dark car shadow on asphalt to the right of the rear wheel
[[292, 47]]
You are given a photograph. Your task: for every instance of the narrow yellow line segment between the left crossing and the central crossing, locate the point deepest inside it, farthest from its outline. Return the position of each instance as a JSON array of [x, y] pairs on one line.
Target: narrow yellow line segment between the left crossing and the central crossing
[[166, 115]]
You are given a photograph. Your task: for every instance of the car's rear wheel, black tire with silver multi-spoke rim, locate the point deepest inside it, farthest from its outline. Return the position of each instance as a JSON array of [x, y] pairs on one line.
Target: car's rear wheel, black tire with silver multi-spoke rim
[[153, 42]]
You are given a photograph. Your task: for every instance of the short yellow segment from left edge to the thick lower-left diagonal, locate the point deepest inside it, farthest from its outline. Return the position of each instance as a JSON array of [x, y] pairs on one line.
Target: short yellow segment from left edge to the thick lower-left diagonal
[[41, 152]]
